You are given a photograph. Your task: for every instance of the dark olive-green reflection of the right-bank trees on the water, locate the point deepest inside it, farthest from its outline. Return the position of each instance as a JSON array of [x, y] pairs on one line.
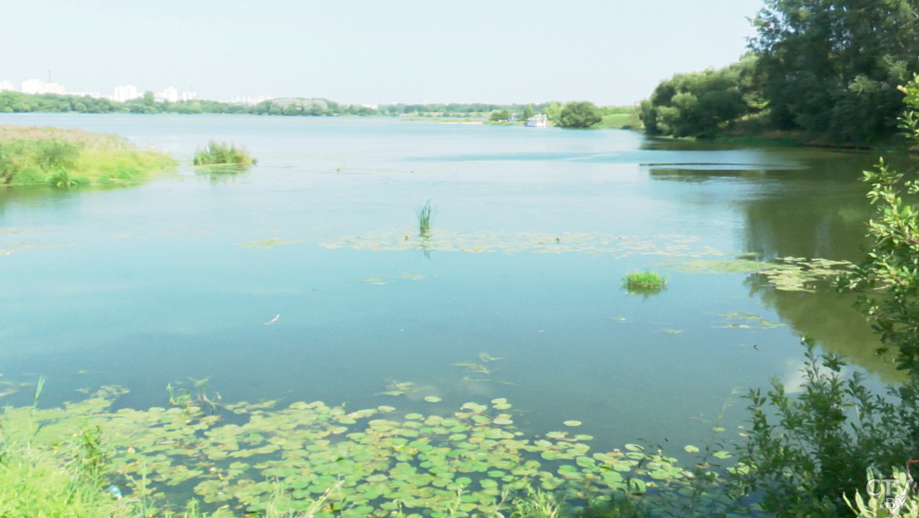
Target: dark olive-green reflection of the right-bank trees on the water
[[815, 210]]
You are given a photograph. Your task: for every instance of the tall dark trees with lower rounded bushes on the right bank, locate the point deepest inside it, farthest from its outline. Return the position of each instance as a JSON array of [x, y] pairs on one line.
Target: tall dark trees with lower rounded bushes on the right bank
[[829, 68]]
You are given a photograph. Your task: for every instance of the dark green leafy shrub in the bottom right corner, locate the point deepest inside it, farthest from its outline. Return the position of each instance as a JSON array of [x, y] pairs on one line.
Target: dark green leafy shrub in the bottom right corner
[[809, 452]]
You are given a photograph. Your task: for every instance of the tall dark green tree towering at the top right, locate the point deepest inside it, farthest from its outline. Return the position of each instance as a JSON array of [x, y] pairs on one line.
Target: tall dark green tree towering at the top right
[[832, 66]]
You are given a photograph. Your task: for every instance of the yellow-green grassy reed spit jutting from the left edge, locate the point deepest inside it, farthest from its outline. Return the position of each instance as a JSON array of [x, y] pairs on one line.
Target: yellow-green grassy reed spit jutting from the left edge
[[73, 157]]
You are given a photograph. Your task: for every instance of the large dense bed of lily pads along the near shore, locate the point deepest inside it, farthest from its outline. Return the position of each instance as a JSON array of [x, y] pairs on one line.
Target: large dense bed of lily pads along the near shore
[[356, 463]]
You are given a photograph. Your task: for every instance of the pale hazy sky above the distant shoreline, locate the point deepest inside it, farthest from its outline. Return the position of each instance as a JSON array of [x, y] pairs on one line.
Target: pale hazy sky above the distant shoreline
[[373, 51]]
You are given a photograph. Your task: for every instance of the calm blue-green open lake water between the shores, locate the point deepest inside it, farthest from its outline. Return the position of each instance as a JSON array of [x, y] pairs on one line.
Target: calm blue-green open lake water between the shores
[[146, 285]]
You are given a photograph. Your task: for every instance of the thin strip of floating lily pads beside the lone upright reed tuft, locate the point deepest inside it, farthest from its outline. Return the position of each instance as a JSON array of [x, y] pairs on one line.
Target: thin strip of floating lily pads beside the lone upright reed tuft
[[594, 243]]
